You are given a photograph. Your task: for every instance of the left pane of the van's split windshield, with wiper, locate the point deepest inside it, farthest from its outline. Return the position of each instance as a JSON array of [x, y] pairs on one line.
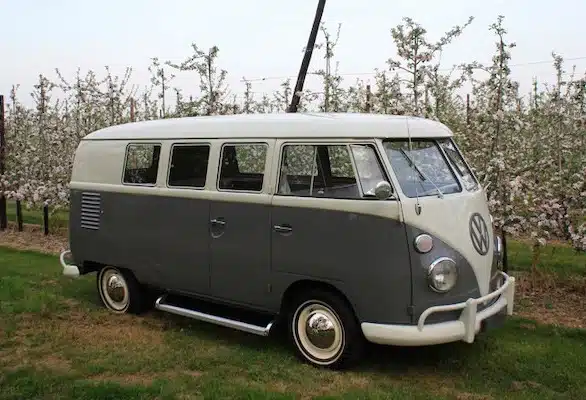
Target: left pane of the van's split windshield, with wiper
[[430, 170]]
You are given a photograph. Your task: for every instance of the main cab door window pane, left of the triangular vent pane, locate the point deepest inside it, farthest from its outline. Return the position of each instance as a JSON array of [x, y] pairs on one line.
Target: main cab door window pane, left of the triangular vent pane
[[318, 171]]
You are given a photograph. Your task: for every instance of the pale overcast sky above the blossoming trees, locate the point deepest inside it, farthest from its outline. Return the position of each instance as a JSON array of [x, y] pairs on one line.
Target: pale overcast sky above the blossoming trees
[[264, 38]]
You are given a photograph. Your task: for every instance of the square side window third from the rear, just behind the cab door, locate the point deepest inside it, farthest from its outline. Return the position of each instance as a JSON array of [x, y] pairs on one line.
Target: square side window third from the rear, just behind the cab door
[[243, 167]]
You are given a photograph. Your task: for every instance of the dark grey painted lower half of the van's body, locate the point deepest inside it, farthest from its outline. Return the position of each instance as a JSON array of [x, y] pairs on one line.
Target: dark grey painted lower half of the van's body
[[169, 243]]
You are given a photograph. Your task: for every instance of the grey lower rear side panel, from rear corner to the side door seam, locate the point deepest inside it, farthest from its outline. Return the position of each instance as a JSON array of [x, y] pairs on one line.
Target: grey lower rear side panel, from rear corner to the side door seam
[[152, 235]]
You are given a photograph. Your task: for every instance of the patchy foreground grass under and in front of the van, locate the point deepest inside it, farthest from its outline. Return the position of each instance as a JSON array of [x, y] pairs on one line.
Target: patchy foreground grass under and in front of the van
[[56, 341]]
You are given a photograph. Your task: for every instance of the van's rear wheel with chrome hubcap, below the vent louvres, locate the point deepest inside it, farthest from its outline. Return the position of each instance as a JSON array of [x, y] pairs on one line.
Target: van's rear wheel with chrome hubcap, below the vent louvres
[[120, 292]]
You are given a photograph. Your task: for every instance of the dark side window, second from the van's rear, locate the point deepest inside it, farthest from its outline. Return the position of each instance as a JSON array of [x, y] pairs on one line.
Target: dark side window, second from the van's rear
[[189, 165]]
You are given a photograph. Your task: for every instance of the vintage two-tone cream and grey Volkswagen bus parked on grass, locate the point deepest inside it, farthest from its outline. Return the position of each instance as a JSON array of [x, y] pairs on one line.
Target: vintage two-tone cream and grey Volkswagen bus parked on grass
[[344, 228]]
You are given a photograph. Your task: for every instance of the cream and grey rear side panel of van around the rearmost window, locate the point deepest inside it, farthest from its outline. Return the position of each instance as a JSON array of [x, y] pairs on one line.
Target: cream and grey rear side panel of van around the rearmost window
[[160, 234]]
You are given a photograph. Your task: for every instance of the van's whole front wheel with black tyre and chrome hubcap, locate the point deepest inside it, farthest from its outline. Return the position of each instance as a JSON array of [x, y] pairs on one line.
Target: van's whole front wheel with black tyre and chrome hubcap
[[324, 330]]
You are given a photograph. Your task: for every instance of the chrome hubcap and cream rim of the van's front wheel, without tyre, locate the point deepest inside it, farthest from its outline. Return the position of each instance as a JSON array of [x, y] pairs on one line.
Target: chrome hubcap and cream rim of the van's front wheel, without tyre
[[319, 332]]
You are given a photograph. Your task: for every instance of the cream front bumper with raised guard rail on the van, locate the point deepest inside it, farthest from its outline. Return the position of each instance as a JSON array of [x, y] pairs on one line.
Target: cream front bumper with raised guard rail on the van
[[464, 329]]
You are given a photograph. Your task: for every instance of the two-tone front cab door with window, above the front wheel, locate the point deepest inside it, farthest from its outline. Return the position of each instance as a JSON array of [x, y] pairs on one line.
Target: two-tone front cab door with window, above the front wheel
[[327, 227]]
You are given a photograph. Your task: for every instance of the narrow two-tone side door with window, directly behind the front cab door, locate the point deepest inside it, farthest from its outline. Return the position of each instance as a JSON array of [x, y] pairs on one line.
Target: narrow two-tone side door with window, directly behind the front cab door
[[239, 226]]
